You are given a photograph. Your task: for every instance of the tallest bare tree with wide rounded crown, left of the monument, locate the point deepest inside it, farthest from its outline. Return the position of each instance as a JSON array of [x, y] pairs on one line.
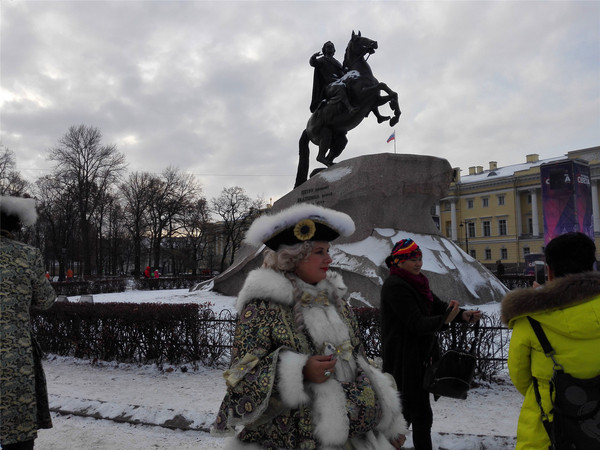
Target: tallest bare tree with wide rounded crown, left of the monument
[[89, 169]]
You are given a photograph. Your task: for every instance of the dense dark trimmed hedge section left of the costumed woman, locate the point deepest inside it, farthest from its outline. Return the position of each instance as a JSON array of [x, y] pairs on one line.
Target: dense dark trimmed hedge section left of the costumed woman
[[125, 332]]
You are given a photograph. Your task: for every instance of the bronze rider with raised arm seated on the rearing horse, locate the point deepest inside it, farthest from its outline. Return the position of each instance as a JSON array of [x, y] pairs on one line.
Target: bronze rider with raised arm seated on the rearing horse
[[326, 85]]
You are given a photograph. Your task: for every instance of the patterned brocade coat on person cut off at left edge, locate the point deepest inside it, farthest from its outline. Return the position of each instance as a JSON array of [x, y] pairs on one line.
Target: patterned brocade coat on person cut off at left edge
[[24, 407]]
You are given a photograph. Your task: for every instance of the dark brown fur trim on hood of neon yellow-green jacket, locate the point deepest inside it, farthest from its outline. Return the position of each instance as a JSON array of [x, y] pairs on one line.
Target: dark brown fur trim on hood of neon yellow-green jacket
[[560, 293]]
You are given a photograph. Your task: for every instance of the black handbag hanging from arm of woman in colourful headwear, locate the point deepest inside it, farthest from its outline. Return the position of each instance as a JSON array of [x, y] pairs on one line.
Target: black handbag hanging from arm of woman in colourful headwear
[[452, 374]]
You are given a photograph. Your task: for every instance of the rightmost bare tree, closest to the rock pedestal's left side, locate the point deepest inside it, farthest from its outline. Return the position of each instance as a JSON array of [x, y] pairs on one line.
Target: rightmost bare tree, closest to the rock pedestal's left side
[[236, 211]]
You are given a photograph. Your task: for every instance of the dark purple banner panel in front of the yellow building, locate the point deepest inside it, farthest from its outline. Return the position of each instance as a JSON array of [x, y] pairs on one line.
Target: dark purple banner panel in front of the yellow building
[[566, 198]]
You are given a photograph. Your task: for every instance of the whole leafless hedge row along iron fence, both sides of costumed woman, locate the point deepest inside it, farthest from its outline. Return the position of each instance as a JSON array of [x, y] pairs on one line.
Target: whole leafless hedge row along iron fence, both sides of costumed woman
[[163, 333]]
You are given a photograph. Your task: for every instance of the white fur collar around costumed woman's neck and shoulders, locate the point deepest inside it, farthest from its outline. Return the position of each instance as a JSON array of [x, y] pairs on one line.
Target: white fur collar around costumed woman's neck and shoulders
[[272, 285]]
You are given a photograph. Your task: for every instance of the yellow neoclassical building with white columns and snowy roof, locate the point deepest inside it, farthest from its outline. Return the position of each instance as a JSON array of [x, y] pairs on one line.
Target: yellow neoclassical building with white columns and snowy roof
[[496, 213]]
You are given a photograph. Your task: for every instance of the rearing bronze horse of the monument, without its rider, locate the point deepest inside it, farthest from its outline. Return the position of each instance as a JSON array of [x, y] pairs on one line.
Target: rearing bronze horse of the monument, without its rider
[[328, 125]]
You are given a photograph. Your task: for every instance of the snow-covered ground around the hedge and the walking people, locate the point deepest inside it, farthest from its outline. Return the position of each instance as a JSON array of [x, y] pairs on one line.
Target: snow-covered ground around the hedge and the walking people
[[87, 394]]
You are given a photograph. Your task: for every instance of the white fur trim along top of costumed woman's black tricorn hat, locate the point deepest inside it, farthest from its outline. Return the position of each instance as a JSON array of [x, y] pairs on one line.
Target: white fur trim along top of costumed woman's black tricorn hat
[[263, 228]]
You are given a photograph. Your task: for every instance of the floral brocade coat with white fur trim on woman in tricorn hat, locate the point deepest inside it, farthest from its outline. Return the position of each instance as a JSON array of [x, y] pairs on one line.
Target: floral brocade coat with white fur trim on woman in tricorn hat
[[267, 400]]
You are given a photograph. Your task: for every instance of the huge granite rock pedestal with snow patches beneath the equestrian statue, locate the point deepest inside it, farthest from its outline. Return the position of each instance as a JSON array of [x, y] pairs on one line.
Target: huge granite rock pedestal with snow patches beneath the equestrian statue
[[389, 196]]
